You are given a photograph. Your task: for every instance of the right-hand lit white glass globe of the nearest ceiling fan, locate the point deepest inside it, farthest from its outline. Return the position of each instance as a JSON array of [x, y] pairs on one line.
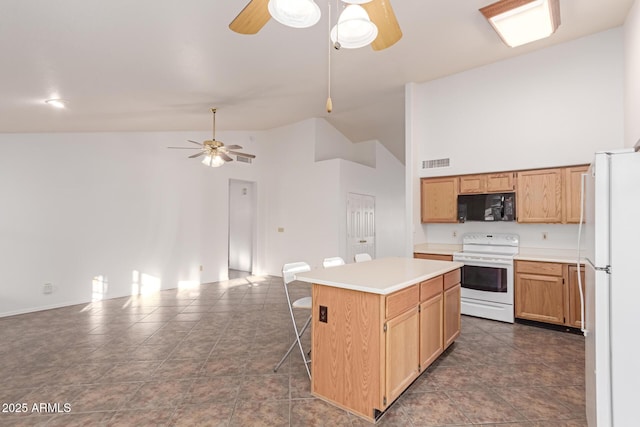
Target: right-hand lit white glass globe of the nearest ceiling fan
[[354, 28]]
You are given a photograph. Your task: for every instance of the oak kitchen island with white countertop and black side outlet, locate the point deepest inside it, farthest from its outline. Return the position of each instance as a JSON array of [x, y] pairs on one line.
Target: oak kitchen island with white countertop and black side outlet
[[377, 325]]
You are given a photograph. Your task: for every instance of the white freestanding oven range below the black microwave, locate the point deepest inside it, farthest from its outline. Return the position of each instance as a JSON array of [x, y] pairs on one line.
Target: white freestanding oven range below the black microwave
[[487, 275]]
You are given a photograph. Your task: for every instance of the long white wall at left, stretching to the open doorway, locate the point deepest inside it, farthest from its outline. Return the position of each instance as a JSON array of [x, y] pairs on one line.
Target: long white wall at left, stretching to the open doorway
[[76, 206]]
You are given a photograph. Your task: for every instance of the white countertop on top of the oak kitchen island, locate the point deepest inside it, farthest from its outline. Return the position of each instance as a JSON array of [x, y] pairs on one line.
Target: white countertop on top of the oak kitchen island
[[379, 276]]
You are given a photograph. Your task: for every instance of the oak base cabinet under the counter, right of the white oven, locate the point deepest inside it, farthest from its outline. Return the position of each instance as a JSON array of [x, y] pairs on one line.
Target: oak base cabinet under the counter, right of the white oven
[[547, 292]]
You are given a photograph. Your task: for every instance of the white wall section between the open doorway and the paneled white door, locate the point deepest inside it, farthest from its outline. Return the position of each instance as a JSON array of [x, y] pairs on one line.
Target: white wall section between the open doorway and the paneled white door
[[301, 199]]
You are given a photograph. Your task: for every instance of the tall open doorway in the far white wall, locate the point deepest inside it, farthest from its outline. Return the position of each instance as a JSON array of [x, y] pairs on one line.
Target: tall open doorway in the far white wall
[[242, 218]]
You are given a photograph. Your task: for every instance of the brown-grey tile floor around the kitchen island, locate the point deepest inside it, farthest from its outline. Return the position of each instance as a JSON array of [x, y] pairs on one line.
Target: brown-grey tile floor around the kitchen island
[[205, 357]]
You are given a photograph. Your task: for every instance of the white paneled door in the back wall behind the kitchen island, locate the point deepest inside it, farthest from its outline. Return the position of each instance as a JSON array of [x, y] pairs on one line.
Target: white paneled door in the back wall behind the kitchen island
[[361, 225]]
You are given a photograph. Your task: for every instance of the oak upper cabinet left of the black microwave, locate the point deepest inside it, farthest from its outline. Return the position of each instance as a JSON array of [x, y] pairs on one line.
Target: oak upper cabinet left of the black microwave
[[439, 199]]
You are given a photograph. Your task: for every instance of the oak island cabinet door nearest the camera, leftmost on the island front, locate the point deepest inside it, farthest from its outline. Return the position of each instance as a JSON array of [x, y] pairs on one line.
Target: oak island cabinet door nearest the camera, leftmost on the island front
[[402, 353]]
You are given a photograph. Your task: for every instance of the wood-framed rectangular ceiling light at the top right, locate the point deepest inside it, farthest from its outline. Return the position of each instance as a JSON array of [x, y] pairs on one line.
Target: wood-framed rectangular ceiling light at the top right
[[518, 22]]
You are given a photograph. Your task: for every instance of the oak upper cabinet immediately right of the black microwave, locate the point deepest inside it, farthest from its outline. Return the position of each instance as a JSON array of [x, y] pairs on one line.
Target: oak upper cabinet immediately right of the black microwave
[[539, 196]]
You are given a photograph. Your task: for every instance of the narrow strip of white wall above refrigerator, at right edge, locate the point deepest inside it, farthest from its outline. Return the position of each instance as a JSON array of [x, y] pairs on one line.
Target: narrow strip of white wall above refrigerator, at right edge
[[632, 76]]
